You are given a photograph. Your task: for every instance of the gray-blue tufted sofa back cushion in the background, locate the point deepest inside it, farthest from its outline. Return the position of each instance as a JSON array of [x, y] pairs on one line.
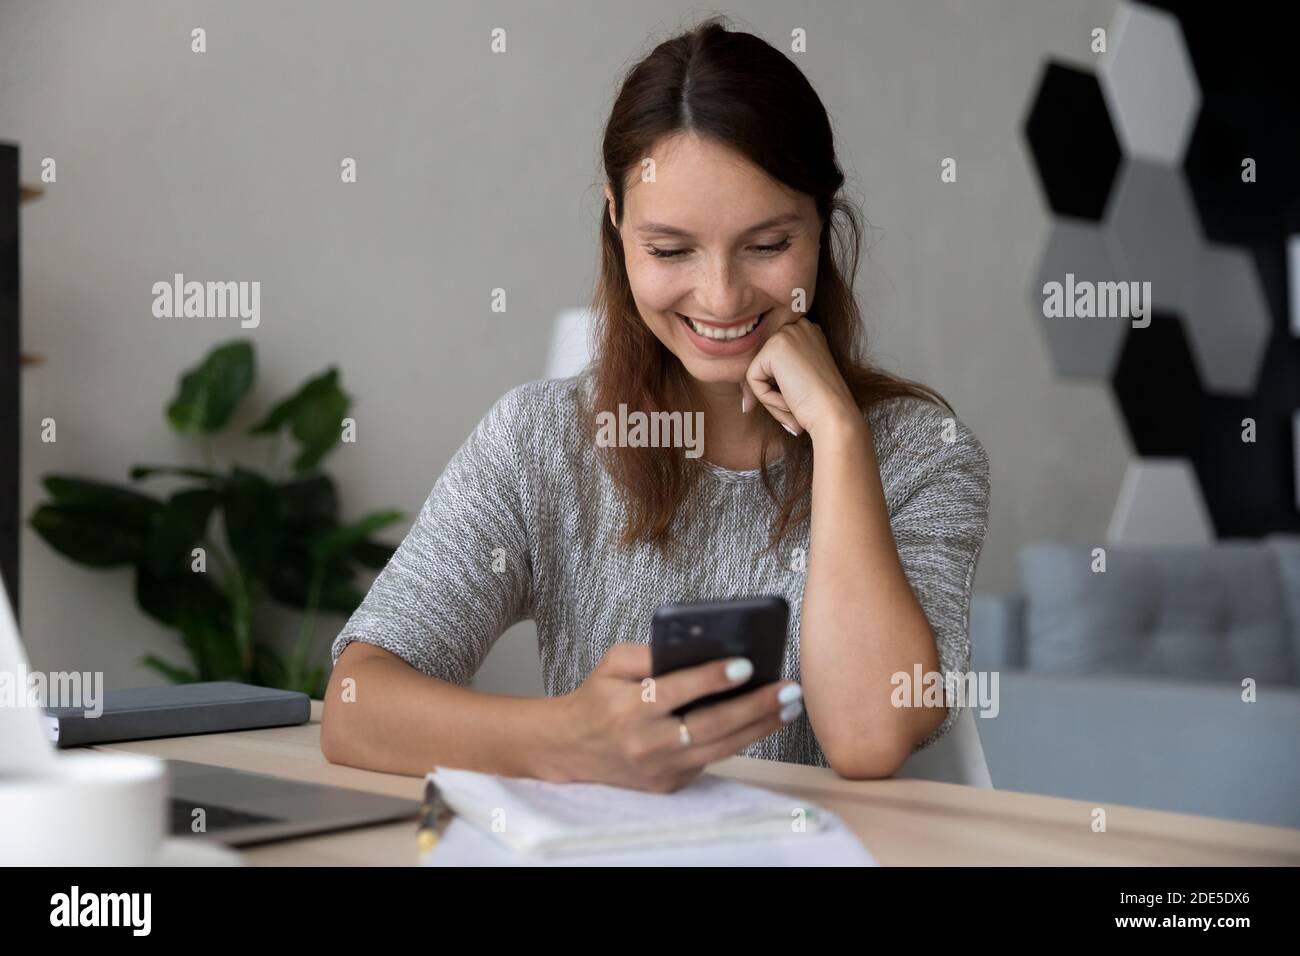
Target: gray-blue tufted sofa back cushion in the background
[[1217, 613]]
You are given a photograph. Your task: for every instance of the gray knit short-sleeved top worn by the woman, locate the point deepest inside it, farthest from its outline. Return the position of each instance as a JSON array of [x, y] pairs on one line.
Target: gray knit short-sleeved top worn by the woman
[[525, 524]]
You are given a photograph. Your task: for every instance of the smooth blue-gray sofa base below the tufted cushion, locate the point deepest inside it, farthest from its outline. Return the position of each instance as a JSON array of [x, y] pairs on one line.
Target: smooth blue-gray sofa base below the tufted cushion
[[1167, 745]]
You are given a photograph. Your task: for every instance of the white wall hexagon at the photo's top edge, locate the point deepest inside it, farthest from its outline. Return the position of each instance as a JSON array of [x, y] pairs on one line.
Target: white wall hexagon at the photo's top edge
[[1150, 85]]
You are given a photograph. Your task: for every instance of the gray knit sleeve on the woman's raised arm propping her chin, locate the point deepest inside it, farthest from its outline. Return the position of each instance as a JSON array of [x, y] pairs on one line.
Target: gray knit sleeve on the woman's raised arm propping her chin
[[938, 483]]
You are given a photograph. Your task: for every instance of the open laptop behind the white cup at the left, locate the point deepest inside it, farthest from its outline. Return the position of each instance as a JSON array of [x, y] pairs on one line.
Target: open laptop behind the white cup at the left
[[240, 808]]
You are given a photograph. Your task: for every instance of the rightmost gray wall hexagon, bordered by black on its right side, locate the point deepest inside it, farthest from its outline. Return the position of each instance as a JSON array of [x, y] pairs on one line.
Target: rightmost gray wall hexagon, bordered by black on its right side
[[1228, 321]]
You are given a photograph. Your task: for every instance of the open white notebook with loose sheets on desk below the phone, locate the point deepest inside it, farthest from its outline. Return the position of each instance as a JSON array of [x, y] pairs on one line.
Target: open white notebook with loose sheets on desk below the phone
[[540, 819]]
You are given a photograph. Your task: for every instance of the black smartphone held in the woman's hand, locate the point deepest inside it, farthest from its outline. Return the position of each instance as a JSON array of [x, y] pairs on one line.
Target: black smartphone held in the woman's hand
[[684, 635]]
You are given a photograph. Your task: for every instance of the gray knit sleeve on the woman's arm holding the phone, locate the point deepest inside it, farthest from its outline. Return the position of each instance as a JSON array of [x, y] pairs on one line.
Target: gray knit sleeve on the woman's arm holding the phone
[[463, 574]]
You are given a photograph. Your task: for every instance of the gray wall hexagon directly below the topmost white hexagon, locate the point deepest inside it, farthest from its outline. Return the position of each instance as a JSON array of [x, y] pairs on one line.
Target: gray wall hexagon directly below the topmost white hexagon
[[1152, 232]]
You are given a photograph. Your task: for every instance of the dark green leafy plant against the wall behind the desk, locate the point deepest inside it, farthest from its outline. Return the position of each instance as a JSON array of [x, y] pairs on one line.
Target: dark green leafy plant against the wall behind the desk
[[280, 533]]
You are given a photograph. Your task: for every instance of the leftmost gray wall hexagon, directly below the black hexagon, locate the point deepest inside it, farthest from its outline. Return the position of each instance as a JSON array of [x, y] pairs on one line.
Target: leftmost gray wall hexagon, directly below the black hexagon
[[1081, 348]]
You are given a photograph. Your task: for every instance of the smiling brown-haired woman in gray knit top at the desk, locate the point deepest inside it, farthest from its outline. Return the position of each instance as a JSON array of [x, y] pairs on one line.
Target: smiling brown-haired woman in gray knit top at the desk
[[727, 259]]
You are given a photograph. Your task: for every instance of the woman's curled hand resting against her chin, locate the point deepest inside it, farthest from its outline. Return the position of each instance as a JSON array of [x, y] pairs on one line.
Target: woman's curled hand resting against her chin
[[798, 382]]
